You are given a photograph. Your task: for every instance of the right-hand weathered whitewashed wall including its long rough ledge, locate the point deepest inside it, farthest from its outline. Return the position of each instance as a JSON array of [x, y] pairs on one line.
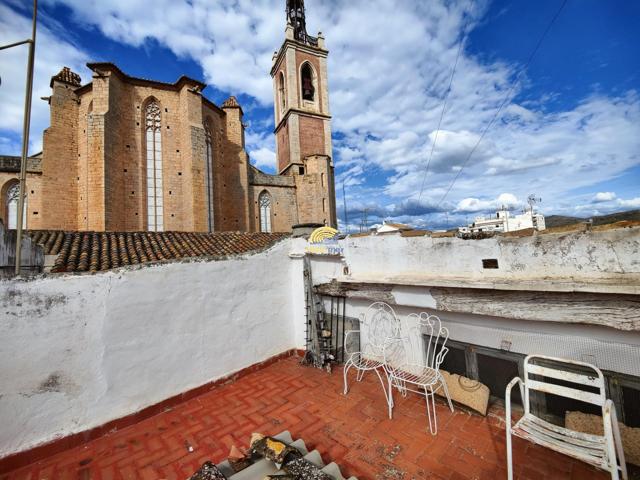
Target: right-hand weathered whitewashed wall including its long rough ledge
[[536, 302]]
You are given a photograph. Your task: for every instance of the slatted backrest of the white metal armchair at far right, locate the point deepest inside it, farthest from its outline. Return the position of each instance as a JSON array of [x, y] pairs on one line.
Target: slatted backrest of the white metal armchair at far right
[[551, 367]]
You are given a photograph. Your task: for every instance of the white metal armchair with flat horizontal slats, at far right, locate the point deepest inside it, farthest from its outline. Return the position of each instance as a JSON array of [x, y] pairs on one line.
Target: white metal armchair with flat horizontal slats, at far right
[[596, 450]]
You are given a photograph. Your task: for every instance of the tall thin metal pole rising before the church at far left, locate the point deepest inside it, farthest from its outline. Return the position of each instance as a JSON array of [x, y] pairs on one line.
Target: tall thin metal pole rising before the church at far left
[[25, 138]]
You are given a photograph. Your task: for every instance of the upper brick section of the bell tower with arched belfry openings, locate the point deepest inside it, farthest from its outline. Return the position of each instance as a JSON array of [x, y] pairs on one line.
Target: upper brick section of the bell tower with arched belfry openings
[[301, 106]]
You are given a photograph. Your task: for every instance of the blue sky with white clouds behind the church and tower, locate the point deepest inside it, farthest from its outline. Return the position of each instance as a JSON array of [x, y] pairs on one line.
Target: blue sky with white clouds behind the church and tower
[[568, 130]]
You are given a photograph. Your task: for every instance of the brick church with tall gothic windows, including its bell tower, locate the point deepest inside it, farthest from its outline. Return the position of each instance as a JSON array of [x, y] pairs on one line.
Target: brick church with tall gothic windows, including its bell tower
[[131, 154]]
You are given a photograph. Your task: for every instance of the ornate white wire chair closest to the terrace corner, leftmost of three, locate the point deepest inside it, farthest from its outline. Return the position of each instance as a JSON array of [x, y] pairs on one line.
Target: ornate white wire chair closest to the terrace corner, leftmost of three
[[377, 325]]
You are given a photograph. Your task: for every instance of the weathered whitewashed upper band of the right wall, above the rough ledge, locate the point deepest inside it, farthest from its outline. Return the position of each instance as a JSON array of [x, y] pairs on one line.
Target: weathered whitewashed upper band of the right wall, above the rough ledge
[[592, 261]]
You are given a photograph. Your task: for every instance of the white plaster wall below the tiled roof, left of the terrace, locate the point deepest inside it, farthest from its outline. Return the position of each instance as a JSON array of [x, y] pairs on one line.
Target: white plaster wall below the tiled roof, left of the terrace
[[79, 351]]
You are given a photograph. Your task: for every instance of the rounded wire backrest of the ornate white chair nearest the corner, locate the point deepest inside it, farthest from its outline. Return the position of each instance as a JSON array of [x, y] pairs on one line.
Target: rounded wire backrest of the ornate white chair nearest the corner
[[378, 324]]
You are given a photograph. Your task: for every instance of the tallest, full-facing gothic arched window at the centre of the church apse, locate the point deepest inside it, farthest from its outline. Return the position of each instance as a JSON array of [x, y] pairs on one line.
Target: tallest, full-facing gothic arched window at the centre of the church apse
[[154, 167]]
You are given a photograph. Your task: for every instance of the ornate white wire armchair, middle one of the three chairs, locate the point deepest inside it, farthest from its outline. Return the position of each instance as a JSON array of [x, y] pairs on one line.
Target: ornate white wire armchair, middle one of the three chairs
[[413, 362]]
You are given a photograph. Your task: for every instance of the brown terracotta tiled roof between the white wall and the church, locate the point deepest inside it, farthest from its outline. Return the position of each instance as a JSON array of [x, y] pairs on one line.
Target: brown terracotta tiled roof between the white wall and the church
[[99, 251]]
